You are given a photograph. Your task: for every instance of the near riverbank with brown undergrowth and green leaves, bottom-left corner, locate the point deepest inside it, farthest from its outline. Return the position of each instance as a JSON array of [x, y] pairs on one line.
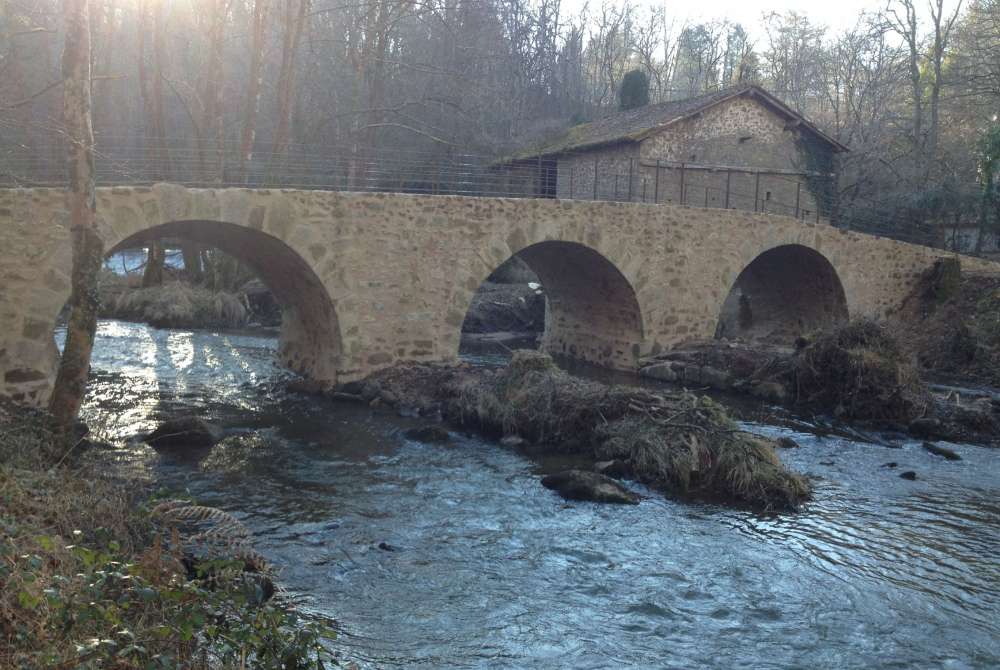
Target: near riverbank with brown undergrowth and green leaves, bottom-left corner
[[97, 572]]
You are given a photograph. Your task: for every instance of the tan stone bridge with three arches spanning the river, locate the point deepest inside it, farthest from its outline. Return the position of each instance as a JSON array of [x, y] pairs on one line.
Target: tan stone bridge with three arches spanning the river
[[368, 280]]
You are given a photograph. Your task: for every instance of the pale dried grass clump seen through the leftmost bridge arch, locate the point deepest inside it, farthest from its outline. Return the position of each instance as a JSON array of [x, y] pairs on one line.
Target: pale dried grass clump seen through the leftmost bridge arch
[[179, 305]]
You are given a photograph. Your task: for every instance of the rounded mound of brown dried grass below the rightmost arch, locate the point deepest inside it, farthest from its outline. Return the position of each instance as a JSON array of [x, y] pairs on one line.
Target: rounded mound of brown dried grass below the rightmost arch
[[858, 371]]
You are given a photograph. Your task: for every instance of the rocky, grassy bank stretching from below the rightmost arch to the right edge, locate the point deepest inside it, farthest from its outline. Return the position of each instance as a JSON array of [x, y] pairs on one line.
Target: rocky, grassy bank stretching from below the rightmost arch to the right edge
[[859, 374]]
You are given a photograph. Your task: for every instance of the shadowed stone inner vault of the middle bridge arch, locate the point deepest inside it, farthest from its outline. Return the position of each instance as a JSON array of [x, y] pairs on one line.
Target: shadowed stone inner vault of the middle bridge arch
[[591, 312]]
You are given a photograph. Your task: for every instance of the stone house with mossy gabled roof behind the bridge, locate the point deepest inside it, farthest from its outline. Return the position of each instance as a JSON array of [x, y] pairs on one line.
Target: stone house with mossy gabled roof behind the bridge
[[737, 148]]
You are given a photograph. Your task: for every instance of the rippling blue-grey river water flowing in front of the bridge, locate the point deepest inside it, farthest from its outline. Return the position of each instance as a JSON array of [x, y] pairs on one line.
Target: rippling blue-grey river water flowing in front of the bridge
[[486, 568]]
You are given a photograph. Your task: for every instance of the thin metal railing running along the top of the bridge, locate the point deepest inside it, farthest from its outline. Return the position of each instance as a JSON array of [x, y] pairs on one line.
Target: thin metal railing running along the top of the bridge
[[809, 197]]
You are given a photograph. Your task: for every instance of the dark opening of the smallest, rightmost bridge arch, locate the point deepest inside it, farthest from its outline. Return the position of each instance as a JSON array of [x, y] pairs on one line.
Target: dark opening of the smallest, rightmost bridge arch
[[783, 293]]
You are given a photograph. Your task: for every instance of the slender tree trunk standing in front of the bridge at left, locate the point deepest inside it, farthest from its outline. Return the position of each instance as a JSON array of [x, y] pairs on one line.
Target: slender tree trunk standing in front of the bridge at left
[[88, 249]]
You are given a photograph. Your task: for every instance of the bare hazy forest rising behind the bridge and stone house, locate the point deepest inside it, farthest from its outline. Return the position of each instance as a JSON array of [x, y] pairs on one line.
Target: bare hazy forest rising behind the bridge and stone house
[[913, 89]]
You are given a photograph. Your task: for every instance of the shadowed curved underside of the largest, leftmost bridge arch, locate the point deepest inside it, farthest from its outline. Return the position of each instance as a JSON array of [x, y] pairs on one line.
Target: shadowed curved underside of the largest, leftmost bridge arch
[[310, 333]]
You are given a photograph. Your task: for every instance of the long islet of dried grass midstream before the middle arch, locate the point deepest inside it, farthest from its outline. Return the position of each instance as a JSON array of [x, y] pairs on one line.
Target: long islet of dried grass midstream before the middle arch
[[678, 443]]
